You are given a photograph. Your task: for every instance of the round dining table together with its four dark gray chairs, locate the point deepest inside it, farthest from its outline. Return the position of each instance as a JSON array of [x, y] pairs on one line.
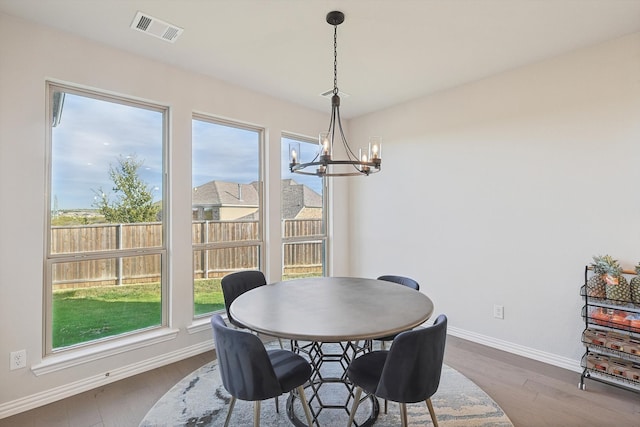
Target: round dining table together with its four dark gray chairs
[[346, 347]]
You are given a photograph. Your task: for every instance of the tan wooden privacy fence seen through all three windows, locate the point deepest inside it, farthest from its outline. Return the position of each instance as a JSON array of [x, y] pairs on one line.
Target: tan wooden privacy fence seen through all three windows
[[302, 257]]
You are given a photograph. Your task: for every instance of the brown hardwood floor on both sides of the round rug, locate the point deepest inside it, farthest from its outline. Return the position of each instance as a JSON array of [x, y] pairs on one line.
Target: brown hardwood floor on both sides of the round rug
[[533, 394]]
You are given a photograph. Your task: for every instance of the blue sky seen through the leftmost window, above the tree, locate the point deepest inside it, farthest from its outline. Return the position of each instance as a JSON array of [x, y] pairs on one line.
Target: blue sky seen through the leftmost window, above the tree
[[91, 137]]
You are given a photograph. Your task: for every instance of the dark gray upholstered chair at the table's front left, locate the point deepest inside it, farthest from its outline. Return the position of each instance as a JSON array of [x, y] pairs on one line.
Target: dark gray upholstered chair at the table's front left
[[251, 372]]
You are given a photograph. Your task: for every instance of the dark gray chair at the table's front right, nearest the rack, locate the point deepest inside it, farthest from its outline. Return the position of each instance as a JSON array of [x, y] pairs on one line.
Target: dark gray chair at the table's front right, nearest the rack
[[409, 372]]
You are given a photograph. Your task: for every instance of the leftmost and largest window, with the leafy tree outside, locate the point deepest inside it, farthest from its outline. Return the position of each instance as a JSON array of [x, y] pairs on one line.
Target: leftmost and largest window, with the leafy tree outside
[[105, 273]]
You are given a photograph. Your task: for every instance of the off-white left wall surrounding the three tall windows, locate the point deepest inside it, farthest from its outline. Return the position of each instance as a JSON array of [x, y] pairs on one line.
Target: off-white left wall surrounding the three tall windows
[[29, 55]]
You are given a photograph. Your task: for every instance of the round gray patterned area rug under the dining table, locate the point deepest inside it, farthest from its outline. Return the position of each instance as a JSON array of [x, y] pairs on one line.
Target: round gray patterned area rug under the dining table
[[201, 400]]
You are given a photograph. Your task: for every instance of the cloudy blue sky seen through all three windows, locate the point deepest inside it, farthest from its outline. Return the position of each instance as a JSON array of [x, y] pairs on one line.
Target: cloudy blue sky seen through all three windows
[[93, 134]]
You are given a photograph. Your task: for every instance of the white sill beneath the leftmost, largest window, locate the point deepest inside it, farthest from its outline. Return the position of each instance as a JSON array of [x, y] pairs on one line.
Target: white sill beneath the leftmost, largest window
[[72, 358]]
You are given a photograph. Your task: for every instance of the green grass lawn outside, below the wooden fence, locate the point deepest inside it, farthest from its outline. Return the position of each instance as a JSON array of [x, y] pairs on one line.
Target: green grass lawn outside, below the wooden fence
[[87, 314]]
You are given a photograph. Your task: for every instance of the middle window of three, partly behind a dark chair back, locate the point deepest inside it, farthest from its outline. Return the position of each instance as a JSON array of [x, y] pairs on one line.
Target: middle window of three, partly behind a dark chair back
[[226, 206]]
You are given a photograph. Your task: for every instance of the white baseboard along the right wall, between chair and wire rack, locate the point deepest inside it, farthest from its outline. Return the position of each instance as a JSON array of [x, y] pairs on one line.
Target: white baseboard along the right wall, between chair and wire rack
[[520, 350]]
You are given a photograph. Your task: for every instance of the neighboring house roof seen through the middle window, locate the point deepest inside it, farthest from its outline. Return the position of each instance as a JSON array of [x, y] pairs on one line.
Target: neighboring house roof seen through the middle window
[[222, 193]]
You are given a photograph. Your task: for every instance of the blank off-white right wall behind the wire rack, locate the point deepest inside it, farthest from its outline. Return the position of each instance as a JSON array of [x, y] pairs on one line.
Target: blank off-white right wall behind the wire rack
[[500, 191]]
